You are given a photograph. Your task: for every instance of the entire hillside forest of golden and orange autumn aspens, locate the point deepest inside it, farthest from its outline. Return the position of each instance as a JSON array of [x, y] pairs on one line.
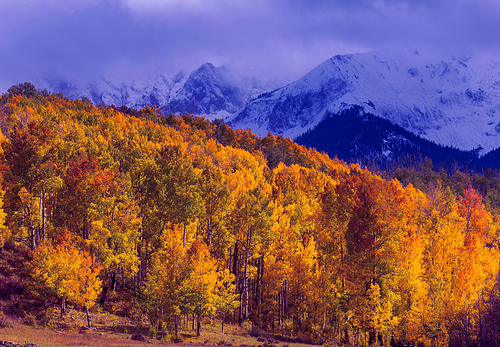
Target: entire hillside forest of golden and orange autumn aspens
[[198, 220]]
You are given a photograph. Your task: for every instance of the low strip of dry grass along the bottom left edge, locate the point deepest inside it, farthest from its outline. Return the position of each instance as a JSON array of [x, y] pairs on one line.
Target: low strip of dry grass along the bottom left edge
[[110, 331]]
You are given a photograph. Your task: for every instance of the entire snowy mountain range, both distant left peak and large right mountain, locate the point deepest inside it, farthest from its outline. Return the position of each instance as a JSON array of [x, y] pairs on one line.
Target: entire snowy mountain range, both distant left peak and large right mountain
[[452, 102]]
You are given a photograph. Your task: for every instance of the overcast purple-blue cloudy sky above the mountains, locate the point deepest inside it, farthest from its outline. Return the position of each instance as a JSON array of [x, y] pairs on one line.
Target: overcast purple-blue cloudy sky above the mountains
[[84, 39]]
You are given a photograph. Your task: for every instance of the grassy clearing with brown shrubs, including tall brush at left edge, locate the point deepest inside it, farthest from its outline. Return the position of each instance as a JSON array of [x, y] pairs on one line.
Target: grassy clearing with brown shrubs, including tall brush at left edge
[[26, 321]]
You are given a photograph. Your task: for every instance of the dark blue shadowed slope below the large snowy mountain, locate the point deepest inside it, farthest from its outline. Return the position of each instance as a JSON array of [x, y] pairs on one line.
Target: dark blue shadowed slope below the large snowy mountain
[[354, 135]]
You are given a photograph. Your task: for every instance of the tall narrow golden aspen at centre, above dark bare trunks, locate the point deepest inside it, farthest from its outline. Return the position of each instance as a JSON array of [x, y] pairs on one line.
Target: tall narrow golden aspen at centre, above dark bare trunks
[[250, 217]]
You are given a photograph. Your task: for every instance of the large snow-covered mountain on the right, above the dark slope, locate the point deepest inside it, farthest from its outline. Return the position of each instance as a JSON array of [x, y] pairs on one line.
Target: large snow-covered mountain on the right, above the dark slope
[[453, 102]]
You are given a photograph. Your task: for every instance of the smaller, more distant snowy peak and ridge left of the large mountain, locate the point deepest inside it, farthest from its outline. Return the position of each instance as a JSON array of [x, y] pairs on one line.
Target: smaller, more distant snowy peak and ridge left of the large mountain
[[213, 92]]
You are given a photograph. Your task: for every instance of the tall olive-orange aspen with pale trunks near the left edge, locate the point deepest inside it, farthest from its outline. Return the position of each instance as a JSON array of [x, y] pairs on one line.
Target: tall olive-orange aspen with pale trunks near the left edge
[[32, 177]]
